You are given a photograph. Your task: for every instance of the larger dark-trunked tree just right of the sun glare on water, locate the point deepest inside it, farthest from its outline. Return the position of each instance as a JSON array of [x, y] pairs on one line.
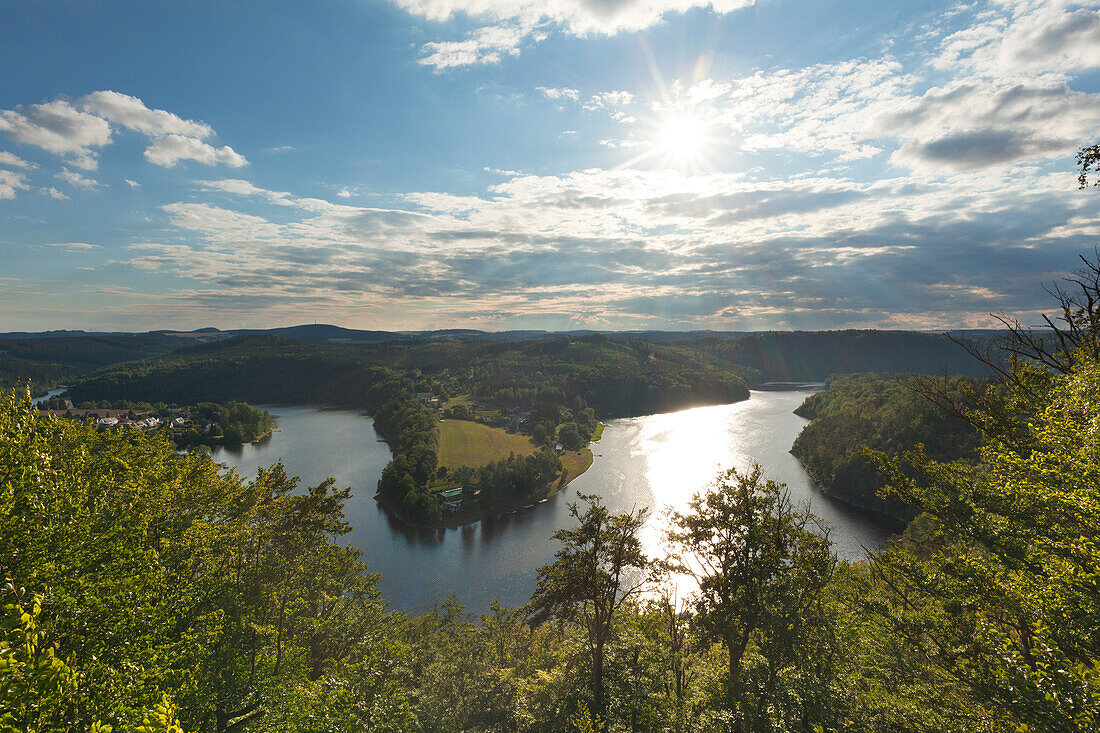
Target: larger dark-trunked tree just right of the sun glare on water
[[760, 567]]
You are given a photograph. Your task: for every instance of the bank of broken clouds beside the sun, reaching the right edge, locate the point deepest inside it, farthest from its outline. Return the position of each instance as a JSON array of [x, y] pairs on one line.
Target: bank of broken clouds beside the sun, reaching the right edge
[[863, 108]]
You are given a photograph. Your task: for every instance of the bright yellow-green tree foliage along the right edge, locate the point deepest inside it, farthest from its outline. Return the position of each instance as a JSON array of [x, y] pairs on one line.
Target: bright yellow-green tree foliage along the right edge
[[1008, 603]]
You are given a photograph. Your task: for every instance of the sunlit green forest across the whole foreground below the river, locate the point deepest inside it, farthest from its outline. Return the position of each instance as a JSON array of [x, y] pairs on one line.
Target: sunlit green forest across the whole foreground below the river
[[146, 592]]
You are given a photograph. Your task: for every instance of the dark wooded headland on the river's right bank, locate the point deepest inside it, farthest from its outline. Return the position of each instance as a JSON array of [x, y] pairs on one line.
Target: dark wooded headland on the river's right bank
[[886, 413]]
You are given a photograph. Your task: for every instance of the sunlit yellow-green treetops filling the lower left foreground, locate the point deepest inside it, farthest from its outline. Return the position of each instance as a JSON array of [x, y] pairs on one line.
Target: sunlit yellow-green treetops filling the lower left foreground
[[166, 576]]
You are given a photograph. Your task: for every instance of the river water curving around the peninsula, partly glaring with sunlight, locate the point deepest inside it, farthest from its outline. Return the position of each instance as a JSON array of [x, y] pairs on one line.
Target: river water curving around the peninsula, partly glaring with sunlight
[[657, 462]]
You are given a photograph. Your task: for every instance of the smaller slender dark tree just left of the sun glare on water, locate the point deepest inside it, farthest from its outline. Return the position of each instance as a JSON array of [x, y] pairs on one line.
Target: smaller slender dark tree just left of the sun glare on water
[[599, 567]]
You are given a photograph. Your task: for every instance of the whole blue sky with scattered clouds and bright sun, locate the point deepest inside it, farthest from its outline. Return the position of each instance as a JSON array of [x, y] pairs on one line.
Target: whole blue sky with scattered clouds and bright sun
[[555, 165]]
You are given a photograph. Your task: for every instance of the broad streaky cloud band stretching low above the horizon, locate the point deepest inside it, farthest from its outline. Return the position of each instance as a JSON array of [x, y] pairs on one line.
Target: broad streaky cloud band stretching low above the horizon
[[658, 247]]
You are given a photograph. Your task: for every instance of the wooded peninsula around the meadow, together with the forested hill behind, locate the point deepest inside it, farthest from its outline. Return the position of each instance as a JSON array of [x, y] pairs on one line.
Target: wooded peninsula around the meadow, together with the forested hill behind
[[551, 390]]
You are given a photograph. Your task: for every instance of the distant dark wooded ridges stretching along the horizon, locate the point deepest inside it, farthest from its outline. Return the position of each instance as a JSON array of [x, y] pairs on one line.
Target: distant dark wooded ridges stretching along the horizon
[[771, 357]]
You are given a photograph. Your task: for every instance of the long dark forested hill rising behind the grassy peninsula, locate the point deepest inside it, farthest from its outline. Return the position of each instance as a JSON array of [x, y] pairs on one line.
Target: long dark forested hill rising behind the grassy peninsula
[[615, 377]]
